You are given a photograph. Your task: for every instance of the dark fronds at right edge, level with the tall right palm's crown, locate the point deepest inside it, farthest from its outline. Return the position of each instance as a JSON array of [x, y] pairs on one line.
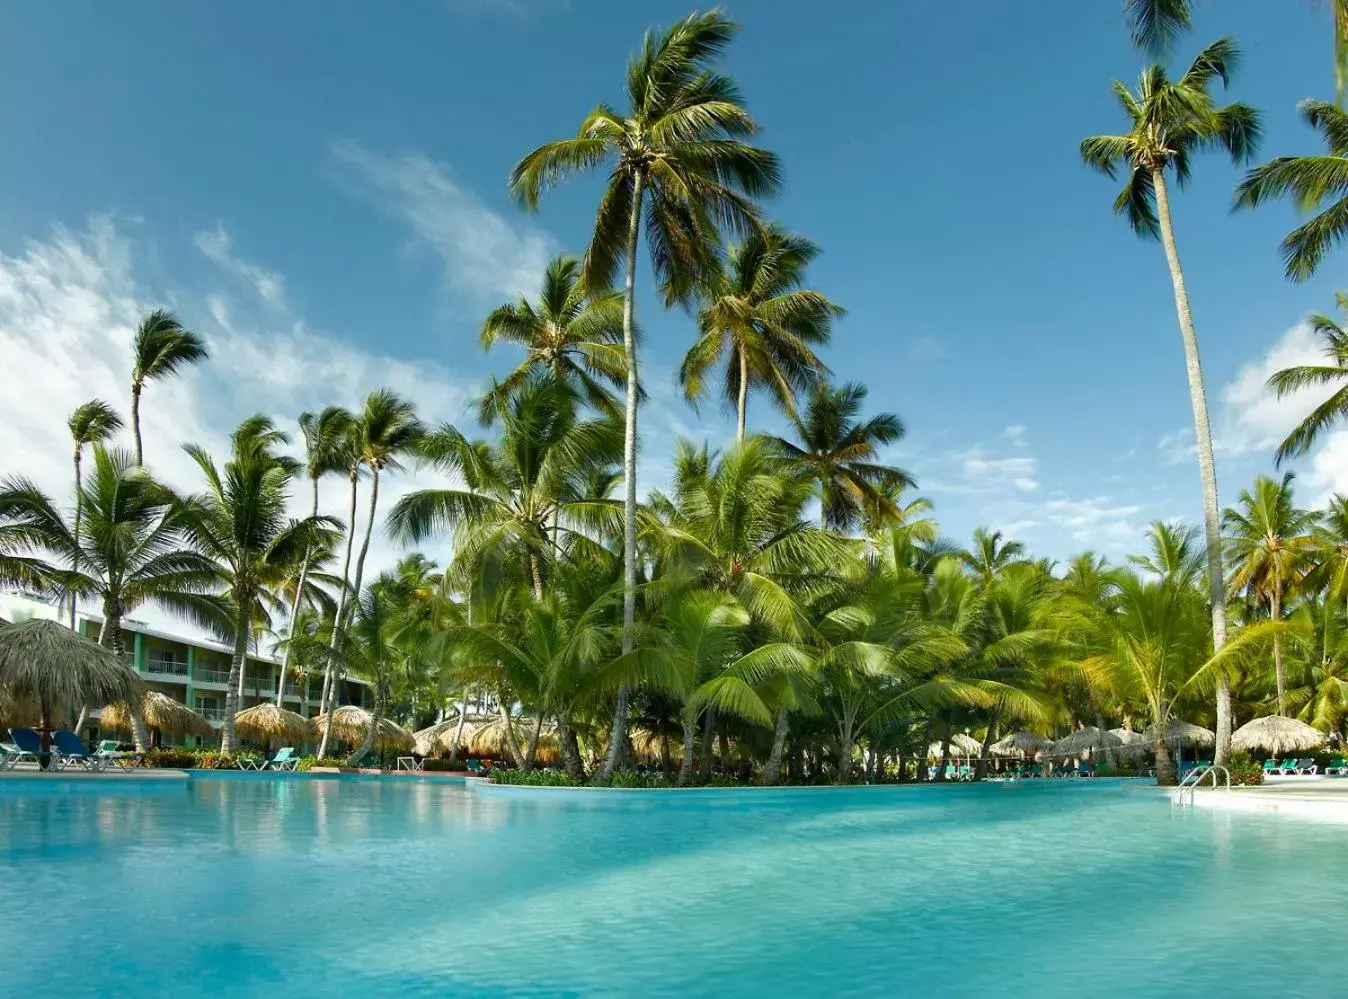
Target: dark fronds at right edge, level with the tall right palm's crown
[[1318, 184]]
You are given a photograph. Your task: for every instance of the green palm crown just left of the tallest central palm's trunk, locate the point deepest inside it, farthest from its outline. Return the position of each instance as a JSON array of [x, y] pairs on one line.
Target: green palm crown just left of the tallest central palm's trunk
[[568, 334]]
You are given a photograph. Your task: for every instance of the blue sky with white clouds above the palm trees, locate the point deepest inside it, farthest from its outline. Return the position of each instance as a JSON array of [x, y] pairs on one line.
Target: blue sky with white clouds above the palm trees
[[320, 188]]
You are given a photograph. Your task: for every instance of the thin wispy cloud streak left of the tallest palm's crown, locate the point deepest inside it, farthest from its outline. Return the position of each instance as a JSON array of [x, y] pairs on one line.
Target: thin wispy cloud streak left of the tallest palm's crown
[[482, 251]]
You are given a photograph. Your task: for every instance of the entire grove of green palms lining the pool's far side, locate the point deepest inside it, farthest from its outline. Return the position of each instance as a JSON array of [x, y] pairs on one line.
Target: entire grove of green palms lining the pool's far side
[[787, 609]]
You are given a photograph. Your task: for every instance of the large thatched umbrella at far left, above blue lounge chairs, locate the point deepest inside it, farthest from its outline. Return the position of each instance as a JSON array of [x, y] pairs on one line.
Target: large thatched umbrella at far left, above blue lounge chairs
[[55, 667]]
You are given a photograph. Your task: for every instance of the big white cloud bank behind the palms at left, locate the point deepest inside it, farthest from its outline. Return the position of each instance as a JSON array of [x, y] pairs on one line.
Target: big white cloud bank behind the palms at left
[[68, 309]]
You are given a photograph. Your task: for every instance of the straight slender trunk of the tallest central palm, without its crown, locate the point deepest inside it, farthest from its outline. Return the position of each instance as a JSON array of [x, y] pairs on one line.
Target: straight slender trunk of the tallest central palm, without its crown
[[618, 741]]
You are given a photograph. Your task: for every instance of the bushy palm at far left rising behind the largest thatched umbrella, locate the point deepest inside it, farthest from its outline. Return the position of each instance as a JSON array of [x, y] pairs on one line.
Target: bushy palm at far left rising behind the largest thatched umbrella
[[130, 549]]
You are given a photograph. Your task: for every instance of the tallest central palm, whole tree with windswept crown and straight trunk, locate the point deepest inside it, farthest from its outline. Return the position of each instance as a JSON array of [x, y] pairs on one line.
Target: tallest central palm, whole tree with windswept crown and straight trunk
[[681, 164]]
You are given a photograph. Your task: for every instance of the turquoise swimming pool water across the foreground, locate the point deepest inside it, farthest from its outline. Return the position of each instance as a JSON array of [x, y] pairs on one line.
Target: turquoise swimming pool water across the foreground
[[290, 886]]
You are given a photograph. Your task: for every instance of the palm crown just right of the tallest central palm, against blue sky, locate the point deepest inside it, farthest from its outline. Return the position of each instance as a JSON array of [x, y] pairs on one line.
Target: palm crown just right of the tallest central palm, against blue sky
[[761, 323]]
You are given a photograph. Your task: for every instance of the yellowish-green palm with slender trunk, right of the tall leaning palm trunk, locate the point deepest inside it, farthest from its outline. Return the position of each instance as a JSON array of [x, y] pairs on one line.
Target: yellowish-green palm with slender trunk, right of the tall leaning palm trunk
[[1269, 544]]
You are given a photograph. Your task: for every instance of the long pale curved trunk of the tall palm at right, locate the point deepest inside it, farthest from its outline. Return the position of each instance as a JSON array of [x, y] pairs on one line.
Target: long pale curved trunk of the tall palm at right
[[1207, 466]]
